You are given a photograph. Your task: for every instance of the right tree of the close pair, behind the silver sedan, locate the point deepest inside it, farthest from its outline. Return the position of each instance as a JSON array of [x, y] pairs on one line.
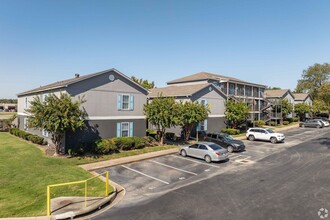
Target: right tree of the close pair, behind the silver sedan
[[190, 114]]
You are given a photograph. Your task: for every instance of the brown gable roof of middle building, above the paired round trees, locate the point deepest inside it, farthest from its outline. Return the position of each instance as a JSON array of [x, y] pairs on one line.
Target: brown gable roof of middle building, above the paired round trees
[[179, 91]]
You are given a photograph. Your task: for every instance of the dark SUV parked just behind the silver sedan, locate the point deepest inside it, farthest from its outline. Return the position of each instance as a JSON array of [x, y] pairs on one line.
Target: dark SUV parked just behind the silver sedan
[[226, 141]]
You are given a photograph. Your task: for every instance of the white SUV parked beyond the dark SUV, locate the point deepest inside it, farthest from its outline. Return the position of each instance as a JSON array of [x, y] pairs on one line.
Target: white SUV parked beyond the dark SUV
[[265, 134]]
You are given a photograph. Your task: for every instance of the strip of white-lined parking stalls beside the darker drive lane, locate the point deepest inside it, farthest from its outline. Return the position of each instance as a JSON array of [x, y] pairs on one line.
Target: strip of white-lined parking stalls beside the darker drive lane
[[168, 172]]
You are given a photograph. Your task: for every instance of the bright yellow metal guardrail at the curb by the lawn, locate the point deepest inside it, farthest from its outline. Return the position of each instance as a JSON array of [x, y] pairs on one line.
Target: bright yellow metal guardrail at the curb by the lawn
[[78, 182]]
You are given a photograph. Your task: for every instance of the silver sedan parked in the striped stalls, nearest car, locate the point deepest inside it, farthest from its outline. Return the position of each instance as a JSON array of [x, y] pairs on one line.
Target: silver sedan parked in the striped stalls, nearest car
[[205, 150]]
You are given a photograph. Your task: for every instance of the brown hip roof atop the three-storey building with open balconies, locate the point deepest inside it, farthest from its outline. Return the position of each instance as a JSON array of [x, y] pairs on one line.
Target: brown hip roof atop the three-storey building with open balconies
[[206, 76]]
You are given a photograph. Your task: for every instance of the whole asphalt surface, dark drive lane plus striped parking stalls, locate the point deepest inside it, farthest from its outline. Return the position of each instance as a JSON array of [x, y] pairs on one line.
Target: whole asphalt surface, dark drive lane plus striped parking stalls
[[284, 181]]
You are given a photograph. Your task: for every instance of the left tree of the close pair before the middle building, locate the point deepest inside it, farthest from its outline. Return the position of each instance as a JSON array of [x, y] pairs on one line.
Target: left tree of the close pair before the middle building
[[163, 113]]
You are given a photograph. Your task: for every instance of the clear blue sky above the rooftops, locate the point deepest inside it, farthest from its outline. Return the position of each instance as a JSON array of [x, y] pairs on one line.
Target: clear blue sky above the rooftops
[[266, 42]]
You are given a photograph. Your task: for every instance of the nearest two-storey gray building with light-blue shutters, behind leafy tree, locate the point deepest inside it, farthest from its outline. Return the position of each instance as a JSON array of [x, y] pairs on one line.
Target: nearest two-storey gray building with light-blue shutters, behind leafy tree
[[114, 104]]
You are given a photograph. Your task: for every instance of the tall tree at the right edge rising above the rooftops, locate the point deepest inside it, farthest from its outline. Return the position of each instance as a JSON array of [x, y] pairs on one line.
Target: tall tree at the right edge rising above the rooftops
[[312, 78]]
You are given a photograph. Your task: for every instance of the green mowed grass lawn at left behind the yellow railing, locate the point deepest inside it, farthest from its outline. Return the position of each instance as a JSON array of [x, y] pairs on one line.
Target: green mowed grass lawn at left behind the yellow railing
[[25, 173]]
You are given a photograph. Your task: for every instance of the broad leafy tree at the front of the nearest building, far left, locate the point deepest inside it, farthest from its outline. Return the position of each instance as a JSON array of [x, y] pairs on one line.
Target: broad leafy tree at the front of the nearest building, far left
[[56, 115]]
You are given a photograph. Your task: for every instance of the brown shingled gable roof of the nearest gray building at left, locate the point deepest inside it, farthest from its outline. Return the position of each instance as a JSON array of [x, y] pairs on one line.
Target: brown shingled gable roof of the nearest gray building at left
[[66, 83]]
